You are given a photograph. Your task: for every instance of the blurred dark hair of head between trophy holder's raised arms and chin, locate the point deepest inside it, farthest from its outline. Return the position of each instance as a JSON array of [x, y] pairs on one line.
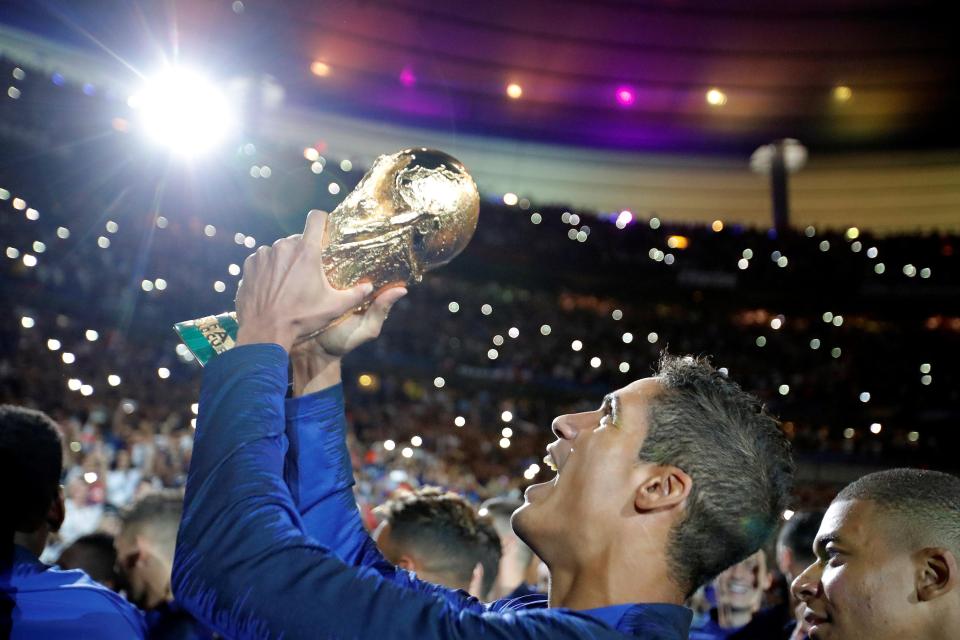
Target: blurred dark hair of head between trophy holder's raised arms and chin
[[444, 530]]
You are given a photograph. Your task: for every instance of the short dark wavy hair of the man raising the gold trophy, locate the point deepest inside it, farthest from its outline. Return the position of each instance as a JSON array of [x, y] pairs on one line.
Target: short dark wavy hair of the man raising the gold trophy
[[739, 460]]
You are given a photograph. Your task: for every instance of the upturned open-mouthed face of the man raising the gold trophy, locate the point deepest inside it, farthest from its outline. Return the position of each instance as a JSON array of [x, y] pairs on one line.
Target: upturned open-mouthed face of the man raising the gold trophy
[[596, 454]]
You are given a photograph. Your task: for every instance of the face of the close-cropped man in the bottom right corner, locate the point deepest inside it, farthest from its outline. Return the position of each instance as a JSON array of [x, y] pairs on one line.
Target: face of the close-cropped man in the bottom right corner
[[862, 582]]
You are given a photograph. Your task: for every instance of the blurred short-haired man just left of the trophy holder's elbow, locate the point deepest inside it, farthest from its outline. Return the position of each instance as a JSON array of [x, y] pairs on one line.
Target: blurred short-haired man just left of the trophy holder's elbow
[[145, 547]]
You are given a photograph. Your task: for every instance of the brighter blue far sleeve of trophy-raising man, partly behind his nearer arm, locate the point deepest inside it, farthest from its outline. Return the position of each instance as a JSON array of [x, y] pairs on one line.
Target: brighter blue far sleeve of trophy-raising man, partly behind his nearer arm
[[319, 474]]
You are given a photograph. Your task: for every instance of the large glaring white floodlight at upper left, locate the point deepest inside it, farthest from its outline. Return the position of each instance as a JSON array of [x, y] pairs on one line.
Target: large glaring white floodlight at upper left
[[184, 111]]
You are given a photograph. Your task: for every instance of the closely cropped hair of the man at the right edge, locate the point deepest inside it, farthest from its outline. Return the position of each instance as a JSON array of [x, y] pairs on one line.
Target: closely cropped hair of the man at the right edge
[[923, 506]]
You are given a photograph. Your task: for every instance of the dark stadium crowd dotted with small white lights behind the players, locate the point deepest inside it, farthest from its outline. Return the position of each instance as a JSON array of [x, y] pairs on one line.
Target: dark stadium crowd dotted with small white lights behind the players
[[843, 336]]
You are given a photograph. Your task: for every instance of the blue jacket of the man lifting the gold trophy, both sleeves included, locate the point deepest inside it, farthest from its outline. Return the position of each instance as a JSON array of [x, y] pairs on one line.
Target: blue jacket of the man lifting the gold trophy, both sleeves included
[[271, 544]]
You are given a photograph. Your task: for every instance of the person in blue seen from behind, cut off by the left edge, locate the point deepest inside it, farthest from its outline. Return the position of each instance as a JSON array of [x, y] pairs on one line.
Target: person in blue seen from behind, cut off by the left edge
[[43, 601]]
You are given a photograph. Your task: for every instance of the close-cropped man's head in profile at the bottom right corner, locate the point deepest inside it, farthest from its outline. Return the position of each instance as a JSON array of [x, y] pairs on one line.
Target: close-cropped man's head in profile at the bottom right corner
[[886, 566]]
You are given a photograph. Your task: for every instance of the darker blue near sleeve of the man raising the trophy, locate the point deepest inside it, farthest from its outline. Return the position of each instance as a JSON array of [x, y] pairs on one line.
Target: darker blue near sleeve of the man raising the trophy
[[243, 563]]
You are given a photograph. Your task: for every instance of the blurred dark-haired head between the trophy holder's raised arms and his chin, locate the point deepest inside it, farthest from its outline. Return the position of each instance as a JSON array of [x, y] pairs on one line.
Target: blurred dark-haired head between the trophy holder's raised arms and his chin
[[440, 537]]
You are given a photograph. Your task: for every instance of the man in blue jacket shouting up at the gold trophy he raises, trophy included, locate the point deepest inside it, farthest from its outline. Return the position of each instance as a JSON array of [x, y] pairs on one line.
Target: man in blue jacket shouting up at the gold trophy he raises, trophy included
[[672, 479]]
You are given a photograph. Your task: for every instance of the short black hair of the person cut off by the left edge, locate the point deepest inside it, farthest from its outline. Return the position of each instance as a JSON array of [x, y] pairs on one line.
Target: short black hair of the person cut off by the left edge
[[31, 461]]
